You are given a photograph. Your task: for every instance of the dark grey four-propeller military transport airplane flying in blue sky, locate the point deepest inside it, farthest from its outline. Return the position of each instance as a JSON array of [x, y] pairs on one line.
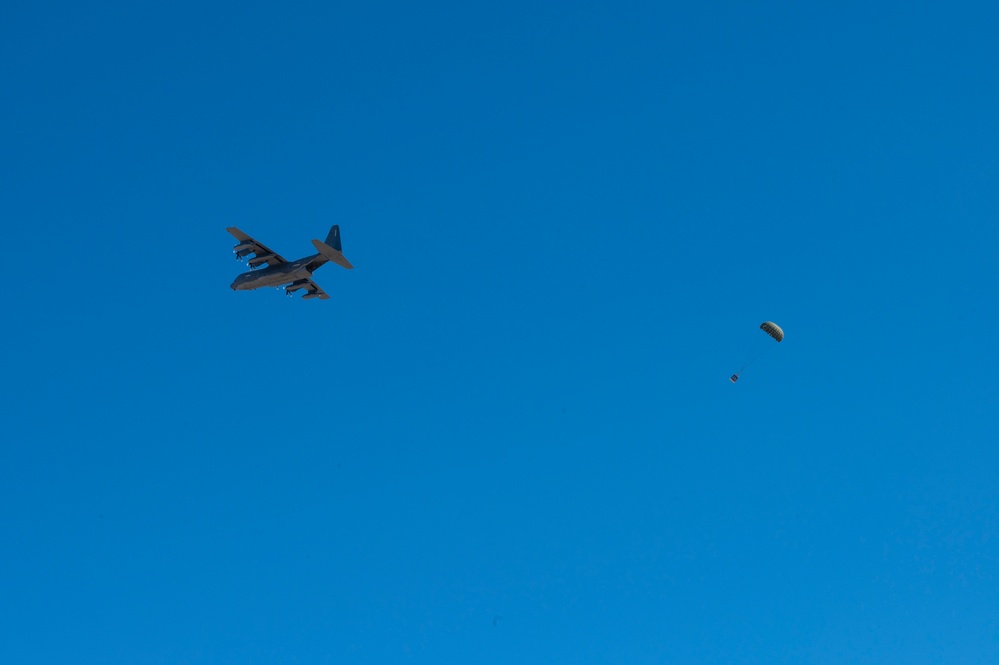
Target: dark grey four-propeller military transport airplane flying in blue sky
[[295, 274]]
